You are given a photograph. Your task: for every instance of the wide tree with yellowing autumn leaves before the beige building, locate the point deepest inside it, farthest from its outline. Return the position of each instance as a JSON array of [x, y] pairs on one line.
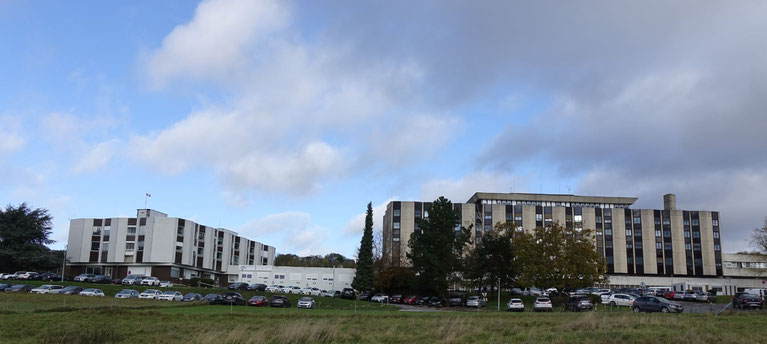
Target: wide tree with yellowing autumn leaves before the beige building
[[557, 257]]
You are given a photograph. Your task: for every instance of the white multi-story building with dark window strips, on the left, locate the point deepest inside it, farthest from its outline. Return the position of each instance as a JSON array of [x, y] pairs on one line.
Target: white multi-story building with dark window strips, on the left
[[154, 244]]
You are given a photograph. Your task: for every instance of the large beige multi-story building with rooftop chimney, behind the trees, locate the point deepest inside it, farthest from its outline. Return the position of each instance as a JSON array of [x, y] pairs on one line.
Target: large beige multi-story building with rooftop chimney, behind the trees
[[636, 243]]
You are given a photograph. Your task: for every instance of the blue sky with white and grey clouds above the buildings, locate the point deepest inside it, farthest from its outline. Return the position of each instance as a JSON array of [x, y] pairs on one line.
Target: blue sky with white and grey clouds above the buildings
[[281, 120]]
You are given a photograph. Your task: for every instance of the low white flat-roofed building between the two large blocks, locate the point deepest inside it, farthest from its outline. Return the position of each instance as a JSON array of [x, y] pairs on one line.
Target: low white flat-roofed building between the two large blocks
[[322, 278]]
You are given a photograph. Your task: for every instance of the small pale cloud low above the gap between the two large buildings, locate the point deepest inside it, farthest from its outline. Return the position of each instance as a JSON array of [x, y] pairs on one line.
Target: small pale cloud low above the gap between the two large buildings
[[292, 230]]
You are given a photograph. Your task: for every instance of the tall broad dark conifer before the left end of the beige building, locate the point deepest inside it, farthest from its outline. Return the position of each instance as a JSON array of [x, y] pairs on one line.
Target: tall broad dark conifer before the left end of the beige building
[[436, 252]]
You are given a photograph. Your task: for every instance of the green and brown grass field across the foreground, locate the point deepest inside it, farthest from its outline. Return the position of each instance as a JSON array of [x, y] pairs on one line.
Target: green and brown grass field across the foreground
[[43, 319]]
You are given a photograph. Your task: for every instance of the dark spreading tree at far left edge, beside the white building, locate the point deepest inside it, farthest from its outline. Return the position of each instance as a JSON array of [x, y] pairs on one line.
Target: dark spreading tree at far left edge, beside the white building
[[24, 234]]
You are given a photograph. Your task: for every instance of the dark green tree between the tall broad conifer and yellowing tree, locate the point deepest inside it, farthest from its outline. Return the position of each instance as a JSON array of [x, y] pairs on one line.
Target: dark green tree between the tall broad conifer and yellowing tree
[[492, 258]]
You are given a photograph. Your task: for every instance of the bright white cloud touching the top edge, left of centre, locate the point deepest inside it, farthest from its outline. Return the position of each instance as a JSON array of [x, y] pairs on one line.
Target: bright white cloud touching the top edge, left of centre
[[217, 41]]
